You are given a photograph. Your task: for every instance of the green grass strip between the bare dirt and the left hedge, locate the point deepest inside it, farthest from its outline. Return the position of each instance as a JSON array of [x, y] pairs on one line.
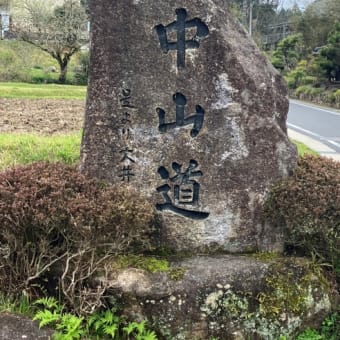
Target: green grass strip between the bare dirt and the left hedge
[[19, 149]]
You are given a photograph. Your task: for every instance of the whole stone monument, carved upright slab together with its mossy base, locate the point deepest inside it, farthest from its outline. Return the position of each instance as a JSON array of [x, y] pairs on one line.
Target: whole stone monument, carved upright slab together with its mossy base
[[183, 107]]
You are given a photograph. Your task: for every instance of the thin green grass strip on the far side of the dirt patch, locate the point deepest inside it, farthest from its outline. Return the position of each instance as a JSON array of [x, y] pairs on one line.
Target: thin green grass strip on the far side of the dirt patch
[[52, 91]]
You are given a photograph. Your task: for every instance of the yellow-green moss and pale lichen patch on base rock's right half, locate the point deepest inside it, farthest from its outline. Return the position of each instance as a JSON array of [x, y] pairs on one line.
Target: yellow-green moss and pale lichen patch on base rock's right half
[[288, 293]]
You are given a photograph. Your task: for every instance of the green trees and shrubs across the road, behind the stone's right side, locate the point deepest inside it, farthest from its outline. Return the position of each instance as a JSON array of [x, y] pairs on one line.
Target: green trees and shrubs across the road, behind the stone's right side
[[304, 45]]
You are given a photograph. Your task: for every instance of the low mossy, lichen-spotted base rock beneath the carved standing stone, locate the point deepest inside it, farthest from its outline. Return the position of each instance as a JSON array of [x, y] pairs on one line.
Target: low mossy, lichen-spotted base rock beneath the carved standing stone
[[225, 297]]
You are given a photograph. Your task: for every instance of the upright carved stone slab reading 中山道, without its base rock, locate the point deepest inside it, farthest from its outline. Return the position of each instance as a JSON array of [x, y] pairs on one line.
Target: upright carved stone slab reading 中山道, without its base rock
[[183, 107]]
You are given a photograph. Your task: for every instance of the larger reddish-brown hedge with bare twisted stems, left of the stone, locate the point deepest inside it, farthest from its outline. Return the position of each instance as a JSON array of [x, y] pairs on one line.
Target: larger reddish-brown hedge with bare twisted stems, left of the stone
[[51, 214]]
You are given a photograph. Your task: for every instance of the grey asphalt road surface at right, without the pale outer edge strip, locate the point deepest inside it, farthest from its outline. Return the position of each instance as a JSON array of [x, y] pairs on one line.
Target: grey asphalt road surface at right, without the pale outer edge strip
[[319, 123]]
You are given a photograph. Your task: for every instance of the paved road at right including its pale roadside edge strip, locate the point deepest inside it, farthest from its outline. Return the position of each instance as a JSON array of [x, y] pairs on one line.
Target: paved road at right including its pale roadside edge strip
[[318, 127]]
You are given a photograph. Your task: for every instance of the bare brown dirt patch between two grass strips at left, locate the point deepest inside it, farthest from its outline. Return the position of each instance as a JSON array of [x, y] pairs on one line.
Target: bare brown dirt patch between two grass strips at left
[[41, 116]]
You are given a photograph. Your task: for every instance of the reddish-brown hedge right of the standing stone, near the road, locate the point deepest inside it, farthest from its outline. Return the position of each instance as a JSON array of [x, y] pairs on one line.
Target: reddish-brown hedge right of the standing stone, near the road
[[308, 204]]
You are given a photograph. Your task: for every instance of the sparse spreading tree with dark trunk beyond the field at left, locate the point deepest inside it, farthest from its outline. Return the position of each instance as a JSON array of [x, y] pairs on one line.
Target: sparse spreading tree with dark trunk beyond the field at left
[[55, 26]]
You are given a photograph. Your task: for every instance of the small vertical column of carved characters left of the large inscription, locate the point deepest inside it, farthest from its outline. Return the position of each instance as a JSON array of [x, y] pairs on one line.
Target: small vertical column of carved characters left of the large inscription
[[127, 160]]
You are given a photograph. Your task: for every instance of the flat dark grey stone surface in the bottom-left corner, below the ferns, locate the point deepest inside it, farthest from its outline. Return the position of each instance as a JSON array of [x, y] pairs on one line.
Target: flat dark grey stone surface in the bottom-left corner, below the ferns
[[14, 327]]
